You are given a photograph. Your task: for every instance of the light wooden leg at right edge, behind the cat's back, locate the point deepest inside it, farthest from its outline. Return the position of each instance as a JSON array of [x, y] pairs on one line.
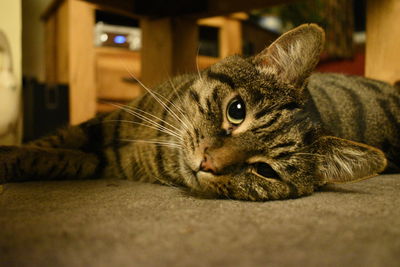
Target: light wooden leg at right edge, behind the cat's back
[[383, 40]]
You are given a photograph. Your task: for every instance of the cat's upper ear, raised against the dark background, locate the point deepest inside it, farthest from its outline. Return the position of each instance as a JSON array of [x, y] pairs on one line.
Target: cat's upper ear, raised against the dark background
[[294, 55]]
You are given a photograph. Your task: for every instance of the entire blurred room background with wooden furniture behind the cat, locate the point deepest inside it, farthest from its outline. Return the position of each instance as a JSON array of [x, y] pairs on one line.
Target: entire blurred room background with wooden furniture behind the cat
[[72, 57]]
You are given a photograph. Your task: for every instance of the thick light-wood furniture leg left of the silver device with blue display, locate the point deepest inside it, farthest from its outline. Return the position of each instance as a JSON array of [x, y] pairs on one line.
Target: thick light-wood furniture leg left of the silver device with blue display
[[70, 54]]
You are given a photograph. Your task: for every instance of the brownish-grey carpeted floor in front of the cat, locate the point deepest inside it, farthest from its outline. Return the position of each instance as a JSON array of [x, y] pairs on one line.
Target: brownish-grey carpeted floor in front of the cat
[[124, 223]]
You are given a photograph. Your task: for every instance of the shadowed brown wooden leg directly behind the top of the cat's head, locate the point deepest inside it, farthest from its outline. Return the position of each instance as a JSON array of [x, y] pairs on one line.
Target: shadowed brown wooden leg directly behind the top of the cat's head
[[169, 47]]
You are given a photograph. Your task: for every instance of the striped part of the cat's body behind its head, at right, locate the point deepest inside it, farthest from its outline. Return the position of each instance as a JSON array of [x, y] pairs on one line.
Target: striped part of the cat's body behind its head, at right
[[359, 109]]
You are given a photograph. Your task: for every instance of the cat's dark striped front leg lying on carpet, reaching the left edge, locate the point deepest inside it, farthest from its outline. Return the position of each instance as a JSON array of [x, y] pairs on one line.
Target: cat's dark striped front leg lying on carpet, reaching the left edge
[[28, 163]]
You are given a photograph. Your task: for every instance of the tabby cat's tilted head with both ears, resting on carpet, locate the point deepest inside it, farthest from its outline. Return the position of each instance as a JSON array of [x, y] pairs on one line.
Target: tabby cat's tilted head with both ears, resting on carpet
[[252, 137]]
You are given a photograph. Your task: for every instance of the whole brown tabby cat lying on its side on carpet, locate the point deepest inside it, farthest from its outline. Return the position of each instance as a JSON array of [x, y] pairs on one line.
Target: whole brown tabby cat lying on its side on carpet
[[258, 128]]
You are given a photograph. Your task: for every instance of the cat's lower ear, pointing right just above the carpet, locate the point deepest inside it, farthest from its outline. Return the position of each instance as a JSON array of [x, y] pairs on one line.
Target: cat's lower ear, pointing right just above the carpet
[[341, 161]]
